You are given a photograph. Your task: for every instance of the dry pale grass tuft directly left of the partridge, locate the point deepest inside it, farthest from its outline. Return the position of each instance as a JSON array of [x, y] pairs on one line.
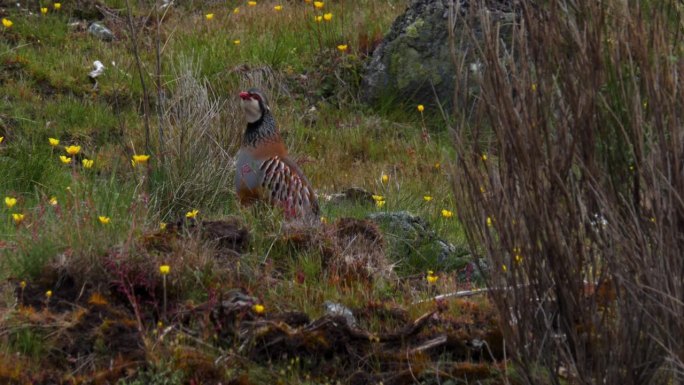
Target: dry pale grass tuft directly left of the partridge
[[200, 137]]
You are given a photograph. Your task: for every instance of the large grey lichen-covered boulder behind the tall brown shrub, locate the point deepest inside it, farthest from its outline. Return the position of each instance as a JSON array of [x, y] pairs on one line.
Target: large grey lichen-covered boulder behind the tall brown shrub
[[415, 56]]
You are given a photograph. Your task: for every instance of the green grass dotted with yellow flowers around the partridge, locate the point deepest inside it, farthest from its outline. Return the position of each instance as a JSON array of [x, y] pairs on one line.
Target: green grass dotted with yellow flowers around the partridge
[[46, 93]]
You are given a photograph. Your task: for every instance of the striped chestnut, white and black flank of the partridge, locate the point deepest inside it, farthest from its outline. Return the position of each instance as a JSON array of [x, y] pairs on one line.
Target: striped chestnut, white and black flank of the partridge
[[285, 184]]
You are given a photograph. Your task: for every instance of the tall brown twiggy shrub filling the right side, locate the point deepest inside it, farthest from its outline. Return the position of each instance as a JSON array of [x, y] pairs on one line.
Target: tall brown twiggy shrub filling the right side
[[577, 201]]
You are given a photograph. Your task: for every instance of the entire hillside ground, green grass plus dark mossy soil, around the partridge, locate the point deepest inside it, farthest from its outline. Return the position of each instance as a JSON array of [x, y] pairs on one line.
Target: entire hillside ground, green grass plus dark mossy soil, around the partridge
[[105, 321]]
